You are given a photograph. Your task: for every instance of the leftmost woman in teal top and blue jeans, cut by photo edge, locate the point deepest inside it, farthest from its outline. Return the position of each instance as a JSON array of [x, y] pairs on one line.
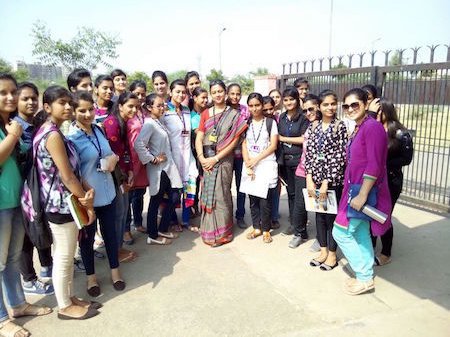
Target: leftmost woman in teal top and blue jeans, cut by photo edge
[[11, 227]]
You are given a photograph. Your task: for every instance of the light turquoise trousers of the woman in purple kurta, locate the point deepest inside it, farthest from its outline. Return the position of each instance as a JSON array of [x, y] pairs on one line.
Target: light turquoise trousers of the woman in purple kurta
[[356, 245]]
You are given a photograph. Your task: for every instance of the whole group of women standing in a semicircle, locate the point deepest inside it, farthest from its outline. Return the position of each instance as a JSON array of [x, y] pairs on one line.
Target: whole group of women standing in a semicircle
[[105, 143]]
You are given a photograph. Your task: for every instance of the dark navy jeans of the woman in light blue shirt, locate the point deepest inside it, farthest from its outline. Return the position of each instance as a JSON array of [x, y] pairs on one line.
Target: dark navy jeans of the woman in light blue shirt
[[105, 217]]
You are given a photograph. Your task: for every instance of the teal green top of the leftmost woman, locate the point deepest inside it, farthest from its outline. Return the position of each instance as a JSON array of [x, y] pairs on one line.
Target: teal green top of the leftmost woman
[[10, 182]]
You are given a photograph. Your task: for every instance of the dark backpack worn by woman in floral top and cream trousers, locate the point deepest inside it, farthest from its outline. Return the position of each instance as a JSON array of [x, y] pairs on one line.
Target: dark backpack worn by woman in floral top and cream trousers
[[35, 220]]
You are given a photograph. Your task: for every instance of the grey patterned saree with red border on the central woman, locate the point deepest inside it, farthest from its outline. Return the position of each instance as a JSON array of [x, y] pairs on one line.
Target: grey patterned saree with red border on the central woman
[[216, 226]]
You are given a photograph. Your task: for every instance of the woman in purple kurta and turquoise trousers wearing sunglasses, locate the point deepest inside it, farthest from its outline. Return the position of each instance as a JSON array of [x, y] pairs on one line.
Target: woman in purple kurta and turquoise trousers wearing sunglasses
[[366, 168]]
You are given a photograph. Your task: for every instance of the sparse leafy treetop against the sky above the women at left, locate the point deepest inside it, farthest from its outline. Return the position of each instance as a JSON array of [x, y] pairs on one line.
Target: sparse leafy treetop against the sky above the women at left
[[88, 48]]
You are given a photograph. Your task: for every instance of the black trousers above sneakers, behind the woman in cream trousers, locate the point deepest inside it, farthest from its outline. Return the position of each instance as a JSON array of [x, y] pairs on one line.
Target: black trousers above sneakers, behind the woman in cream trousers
[[26, 261]]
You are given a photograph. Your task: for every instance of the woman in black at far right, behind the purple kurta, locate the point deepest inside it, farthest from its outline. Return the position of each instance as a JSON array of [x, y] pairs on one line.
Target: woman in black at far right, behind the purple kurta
[[400, 153]]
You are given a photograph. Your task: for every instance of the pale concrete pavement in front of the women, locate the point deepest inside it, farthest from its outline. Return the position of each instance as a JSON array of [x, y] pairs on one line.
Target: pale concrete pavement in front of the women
[[248, 288]]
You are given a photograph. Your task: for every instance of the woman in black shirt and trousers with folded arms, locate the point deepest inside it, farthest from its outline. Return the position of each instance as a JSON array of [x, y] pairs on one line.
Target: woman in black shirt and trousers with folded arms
[[291, 127]]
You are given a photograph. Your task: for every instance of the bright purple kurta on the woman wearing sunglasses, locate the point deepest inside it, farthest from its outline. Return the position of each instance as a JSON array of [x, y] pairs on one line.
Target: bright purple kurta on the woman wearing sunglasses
[[366, 159]]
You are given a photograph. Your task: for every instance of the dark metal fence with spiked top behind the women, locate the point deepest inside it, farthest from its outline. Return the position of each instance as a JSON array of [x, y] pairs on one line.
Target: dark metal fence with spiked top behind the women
[[421, 93]]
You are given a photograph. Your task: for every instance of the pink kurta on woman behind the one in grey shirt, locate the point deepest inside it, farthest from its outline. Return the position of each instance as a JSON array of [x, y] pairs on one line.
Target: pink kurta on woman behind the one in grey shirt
[[134, 127]]
